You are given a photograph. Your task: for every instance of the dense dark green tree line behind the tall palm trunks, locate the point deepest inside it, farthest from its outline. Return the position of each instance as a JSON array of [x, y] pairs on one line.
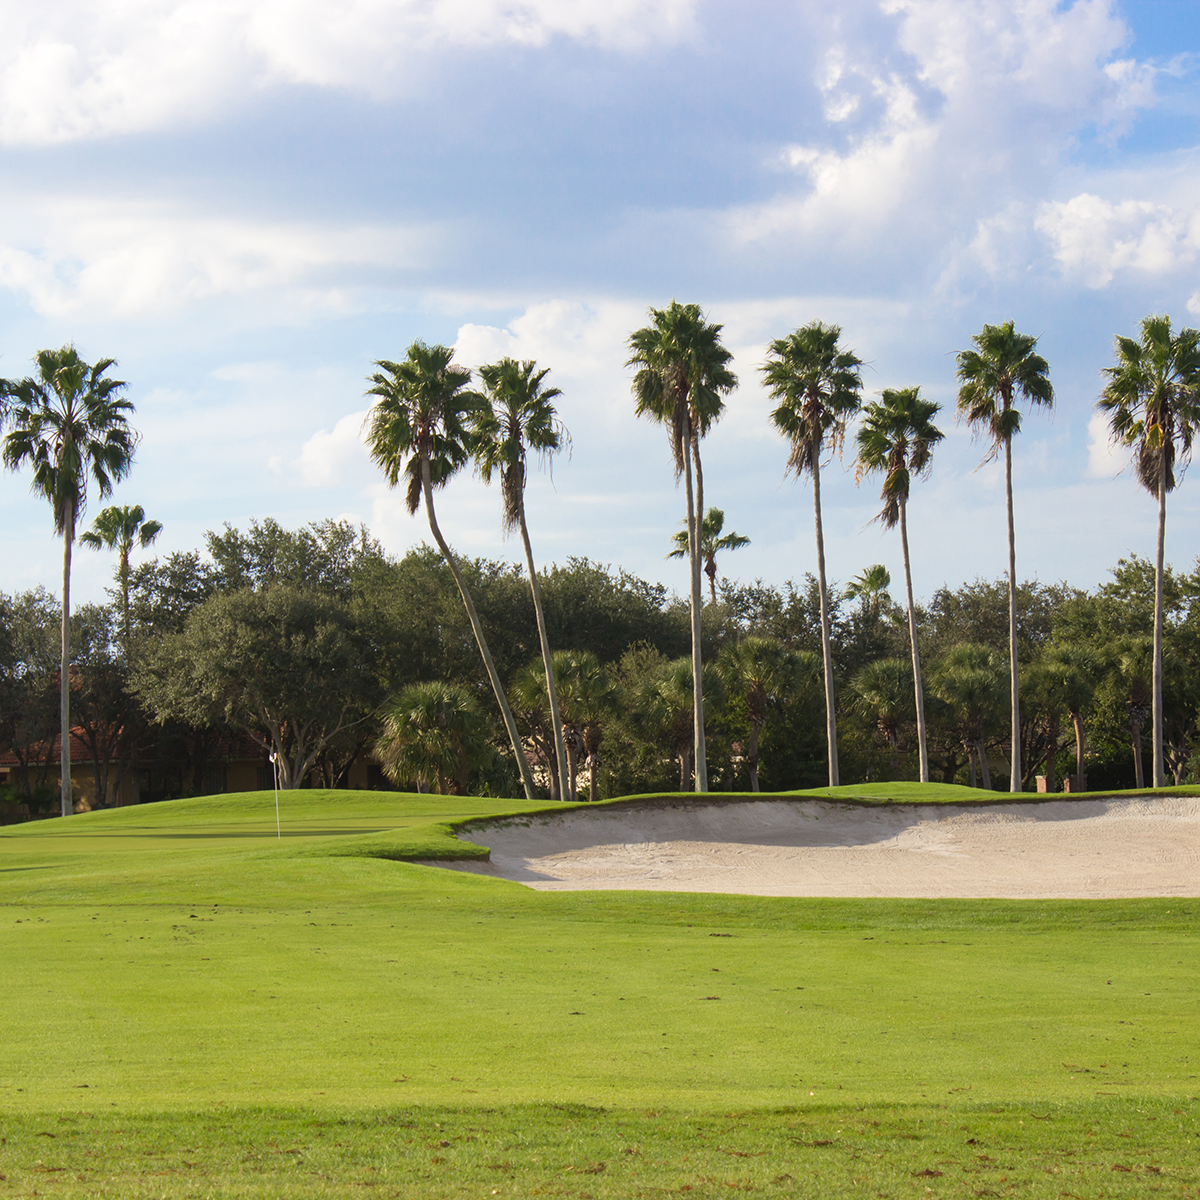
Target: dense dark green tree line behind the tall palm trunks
[[317, 646]]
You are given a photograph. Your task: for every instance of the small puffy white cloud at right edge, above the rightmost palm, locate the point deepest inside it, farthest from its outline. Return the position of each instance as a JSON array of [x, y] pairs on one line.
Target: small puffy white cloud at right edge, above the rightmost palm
[[1094, 239]]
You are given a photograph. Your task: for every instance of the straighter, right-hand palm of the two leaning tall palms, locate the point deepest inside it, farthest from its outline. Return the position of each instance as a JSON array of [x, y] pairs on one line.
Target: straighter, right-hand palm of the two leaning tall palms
[[518, 416]]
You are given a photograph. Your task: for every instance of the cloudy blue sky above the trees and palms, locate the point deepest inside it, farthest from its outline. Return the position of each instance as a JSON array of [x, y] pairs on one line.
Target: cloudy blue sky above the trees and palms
[[248, 203]]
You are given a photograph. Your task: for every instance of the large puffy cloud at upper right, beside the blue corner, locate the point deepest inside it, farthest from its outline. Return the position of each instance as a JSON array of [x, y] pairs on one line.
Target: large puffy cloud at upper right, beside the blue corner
[[946, 129]]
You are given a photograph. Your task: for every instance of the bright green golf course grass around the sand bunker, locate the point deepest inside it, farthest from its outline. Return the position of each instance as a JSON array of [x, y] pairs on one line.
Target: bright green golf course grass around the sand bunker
[[305, 1016]]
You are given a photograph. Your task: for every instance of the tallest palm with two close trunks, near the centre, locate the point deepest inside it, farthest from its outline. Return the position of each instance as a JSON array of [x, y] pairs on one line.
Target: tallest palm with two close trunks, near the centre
[[682, 374]]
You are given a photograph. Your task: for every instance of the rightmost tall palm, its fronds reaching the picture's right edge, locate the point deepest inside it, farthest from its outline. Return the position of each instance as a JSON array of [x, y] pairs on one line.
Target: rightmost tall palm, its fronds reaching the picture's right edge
[[1153, 403]]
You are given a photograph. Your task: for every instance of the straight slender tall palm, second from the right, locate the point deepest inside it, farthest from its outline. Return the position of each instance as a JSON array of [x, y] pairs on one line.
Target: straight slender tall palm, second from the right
[[993, 376]]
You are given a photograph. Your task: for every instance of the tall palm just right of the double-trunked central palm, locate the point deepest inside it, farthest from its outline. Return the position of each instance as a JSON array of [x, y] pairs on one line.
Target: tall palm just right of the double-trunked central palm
[[818, 386]]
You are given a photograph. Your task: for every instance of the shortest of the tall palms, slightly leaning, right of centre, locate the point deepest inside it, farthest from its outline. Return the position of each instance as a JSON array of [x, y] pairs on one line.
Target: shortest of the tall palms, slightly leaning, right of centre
[[898, 437]]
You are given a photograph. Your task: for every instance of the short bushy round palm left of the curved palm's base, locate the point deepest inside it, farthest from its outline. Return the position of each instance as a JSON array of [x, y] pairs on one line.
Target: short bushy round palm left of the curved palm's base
[[435, 734]]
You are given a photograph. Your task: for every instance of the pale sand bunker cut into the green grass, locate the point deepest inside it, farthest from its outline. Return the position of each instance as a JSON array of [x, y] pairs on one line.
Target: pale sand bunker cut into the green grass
[[1085, 849]]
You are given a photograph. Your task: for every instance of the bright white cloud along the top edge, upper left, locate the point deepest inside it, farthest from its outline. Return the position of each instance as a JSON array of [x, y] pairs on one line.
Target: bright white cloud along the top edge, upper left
[[75, 70]]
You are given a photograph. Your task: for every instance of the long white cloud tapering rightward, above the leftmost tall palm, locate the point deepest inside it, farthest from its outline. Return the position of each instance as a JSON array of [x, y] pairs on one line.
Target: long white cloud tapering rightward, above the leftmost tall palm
[[136, 259]]
